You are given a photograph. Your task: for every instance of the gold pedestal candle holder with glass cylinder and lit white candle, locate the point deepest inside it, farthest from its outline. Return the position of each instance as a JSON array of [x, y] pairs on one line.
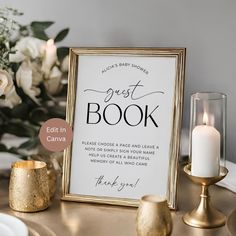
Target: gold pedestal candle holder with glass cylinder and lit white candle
[[207, 154]]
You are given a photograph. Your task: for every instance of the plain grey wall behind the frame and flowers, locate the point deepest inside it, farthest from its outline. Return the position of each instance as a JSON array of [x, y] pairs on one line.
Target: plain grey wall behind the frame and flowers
[[206, 28]]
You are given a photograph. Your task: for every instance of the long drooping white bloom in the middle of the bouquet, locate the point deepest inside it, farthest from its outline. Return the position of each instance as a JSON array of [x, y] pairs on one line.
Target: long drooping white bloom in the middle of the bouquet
[[24, 79]]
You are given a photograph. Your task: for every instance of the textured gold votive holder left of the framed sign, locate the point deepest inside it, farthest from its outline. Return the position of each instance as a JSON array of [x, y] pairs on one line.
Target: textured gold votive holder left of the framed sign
[[28, 189]]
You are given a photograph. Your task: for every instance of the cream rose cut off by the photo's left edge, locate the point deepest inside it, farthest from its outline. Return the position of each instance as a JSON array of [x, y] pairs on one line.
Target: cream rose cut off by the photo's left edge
[[7, 88]]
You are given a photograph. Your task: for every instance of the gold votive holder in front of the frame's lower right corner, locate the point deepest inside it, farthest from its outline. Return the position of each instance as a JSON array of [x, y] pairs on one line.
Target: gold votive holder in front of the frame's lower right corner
[[153, 218]]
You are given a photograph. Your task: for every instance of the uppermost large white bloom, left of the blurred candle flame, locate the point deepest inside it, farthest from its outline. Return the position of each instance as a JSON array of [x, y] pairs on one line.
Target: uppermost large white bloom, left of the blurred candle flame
[[28, 47]]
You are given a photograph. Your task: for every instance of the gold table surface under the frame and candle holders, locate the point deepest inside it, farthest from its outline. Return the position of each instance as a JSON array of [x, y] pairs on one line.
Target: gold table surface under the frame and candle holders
[[69, 218]]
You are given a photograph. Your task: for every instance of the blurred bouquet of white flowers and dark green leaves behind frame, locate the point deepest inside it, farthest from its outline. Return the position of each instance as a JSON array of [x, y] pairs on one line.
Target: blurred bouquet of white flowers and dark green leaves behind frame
[[33, 78]]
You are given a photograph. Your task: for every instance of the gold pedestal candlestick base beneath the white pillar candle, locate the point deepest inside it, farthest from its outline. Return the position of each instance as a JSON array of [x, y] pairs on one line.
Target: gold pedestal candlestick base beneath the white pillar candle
[[205, 215]]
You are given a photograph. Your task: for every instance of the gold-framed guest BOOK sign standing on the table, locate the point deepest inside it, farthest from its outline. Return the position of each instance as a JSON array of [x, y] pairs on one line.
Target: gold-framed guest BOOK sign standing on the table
[[125, 107]]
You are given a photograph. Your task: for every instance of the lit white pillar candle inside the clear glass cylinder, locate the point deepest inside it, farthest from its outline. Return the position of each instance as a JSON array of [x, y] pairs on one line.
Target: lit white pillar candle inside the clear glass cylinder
[[205, 150]]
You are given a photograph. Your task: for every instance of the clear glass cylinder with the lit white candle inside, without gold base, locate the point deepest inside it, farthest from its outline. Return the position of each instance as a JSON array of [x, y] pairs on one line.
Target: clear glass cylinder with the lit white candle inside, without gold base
[[207, 133]]
